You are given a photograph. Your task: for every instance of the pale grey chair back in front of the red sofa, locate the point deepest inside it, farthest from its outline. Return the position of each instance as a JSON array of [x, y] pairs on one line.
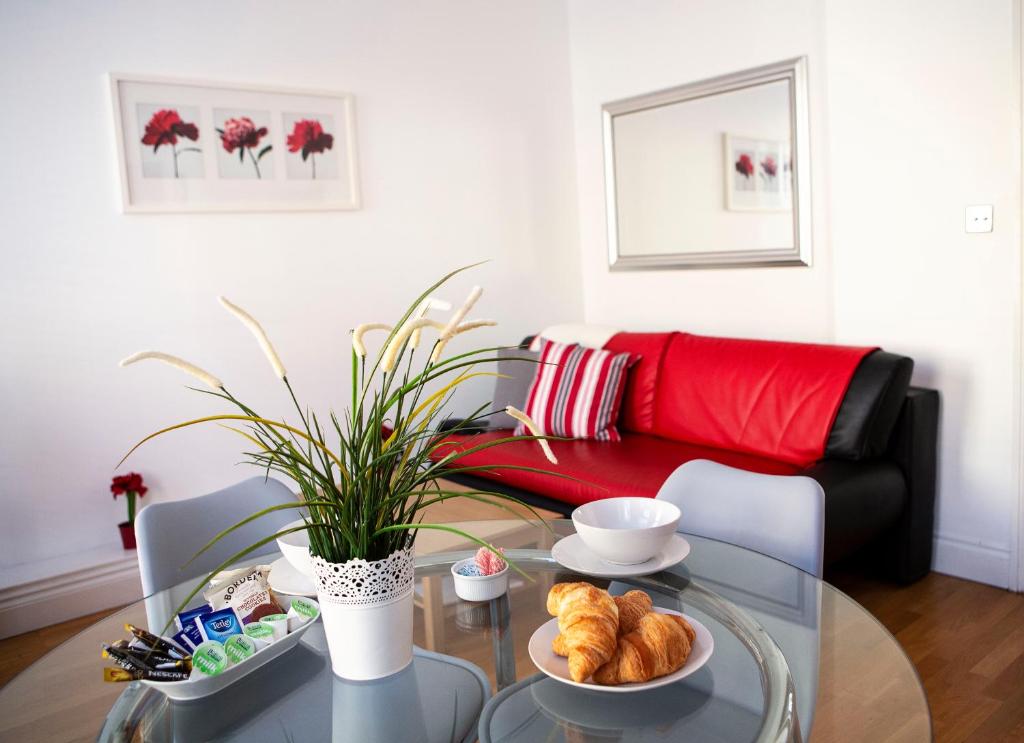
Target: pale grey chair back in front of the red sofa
[[779, 516]]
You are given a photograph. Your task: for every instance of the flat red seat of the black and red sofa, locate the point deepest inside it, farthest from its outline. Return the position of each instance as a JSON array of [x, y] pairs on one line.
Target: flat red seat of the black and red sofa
[[637, 465]]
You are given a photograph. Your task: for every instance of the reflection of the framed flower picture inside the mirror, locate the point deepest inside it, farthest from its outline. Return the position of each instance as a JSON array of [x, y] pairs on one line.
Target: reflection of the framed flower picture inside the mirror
[[758, 176]]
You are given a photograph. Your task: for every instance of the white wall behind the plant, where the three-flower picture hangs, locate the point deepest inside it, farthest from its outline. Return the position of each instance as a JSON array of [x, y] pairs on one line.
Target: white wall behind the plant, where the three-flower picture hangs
[[466, 152]]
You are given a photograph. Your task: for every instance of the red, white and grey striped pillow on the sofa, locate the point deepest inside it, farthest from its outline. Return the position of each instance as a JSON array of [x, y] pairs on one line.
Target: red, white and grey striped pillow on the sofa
[[577, 392]]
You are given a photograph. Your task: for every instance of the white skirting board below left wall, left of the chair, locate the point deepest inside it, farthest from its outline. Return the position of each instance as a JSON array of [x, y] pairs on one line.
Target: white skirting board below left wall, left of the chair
[[59, 598]]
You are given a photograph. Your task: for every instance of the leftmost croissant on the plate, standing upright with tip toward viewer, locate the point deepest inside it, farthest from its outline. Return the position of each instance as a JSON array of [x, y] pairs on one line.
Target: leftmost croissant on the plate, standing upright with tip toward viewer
[[588, 620]]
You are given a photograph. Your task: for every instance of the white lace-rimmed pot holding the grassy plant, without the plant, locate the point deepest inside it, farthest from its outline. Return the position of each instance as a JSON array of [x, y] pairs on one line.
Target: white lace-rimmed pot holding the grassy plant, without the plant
[[368, 615]]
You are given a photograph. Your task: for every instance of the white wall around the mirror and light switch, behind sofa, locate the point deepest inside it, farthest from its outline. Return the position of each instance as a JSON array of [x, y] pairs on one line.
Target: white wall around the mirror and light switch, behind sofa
[[915, 114]]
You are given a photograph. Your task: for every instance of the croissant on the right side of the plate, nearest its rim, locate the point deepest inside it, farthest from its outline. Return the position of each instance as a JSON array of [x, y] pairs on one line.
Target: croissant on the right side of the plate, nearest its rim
[[659, 646]]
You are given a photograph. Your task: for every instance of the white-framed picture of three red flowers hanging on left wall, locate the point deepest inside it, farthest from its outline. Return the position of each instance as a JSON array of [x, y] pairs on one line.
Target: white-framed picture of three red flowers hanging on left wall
[[187, 146]]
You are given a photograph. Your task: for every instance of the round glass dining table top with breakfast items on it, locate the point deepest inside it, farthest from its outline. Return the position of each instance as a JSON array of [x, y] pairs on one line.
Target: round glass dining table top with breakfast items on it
[[795, 660]]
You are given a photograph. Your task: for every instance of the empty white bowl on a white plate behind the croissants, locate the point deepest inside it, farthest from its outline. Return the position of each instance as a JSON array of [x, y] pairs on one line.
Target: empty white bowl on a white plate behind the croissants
[[626, 532]]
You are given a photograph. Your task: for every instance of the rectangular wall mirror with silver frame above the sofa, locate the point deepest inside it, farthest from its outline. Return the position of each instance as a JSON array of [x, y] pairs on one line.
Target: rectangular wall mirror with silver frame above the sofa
[[711, 174]]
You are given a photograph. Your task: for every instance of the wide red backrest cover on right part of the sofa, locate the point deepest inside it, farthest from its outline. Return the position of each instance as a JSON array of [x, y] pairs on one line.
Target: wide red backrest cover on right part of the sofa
[[772, 400]]
